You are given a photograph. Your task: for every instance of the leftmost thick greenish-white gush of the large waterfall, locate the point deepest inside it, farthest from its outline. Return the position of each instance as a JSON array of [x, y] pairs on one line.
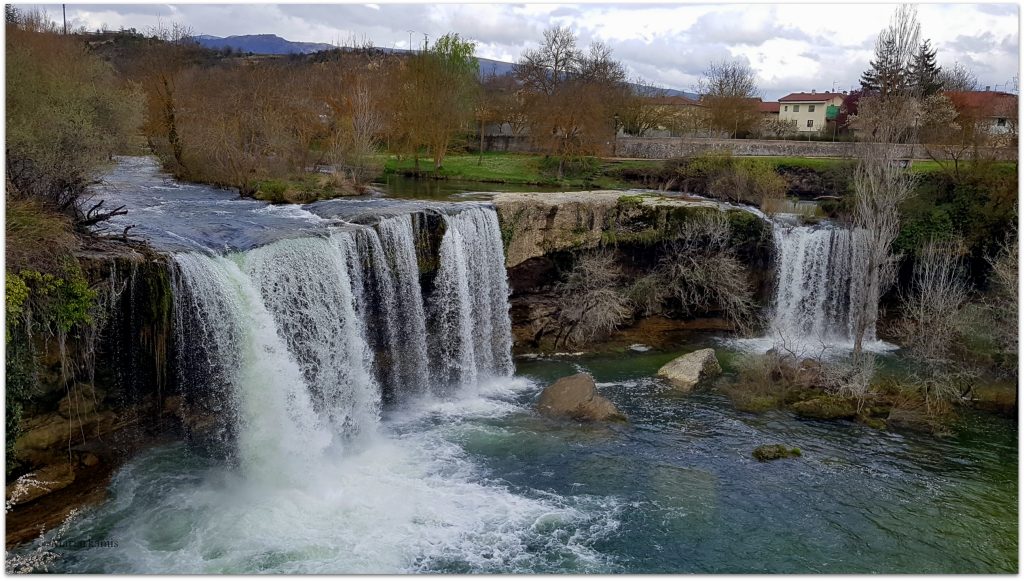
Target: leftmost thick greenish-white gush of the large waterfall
[[276, 426]]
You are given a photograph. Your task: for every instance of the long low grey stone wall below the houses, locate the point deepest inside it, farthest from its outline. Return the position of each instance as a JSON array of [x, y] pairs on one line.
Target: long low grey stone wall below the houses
[[667, 148]]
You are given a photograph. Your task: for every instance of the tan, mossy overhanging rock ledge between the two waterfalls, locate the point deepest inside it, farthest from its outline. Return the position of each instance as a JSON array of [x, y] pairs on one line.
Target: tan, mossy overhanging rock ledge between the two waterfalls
[[546, 233]]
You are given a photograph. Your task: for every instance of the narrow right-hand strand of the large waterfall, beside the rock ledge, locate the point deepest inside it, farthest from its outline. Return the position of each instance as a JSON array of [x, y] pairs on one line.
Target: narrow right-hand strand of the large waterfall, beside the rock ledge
[[471, 301]]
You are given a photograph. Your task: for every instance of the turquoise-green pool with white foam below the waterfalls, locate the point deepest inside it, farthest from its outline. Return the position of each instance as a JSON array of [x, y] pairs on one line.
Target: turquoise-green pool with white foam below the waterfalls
[[483, 484]]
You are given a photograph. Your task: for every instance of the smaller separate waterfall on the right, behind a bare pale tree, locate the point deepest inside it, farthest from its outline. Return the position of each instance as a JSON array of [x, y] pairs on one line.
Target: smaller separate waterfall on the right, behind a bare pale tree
[[821, 284]]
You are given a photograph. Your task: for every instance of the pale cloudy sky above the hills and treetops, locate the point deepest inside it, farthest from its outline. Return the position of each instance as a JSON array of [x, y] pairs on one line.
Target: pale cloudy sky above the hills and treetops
[[793, 48]]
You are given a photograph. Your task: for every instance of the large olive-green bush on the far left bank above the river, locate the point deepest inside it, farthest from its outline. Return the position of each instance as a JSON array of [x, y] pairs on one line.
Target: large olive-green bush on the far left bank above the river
[[67, 114]]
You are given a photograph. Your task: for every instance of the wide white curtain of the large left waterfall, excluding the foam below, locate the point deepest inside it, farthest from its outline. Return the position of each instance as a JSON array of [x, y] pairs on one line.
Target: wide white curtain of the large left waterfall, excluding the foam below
[[294, 347]]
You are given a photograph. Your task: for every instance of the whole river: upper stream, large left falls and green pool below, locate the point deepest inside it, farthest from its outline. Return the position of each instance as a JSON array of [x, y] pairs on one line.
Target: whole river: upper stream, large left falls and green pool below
[[455, 473]]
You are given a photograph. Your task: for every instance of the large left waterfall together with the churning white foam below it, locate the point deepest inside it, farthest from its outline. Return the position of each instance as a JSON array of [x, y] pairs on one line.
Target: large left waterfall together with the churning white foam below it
[[282, 346]]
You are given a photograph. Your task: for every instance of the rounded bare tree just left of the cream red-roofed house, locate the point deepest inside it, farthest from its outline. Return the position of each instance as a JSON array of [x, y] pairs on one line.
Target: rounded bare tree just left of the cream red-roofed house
[[730, 91]]
